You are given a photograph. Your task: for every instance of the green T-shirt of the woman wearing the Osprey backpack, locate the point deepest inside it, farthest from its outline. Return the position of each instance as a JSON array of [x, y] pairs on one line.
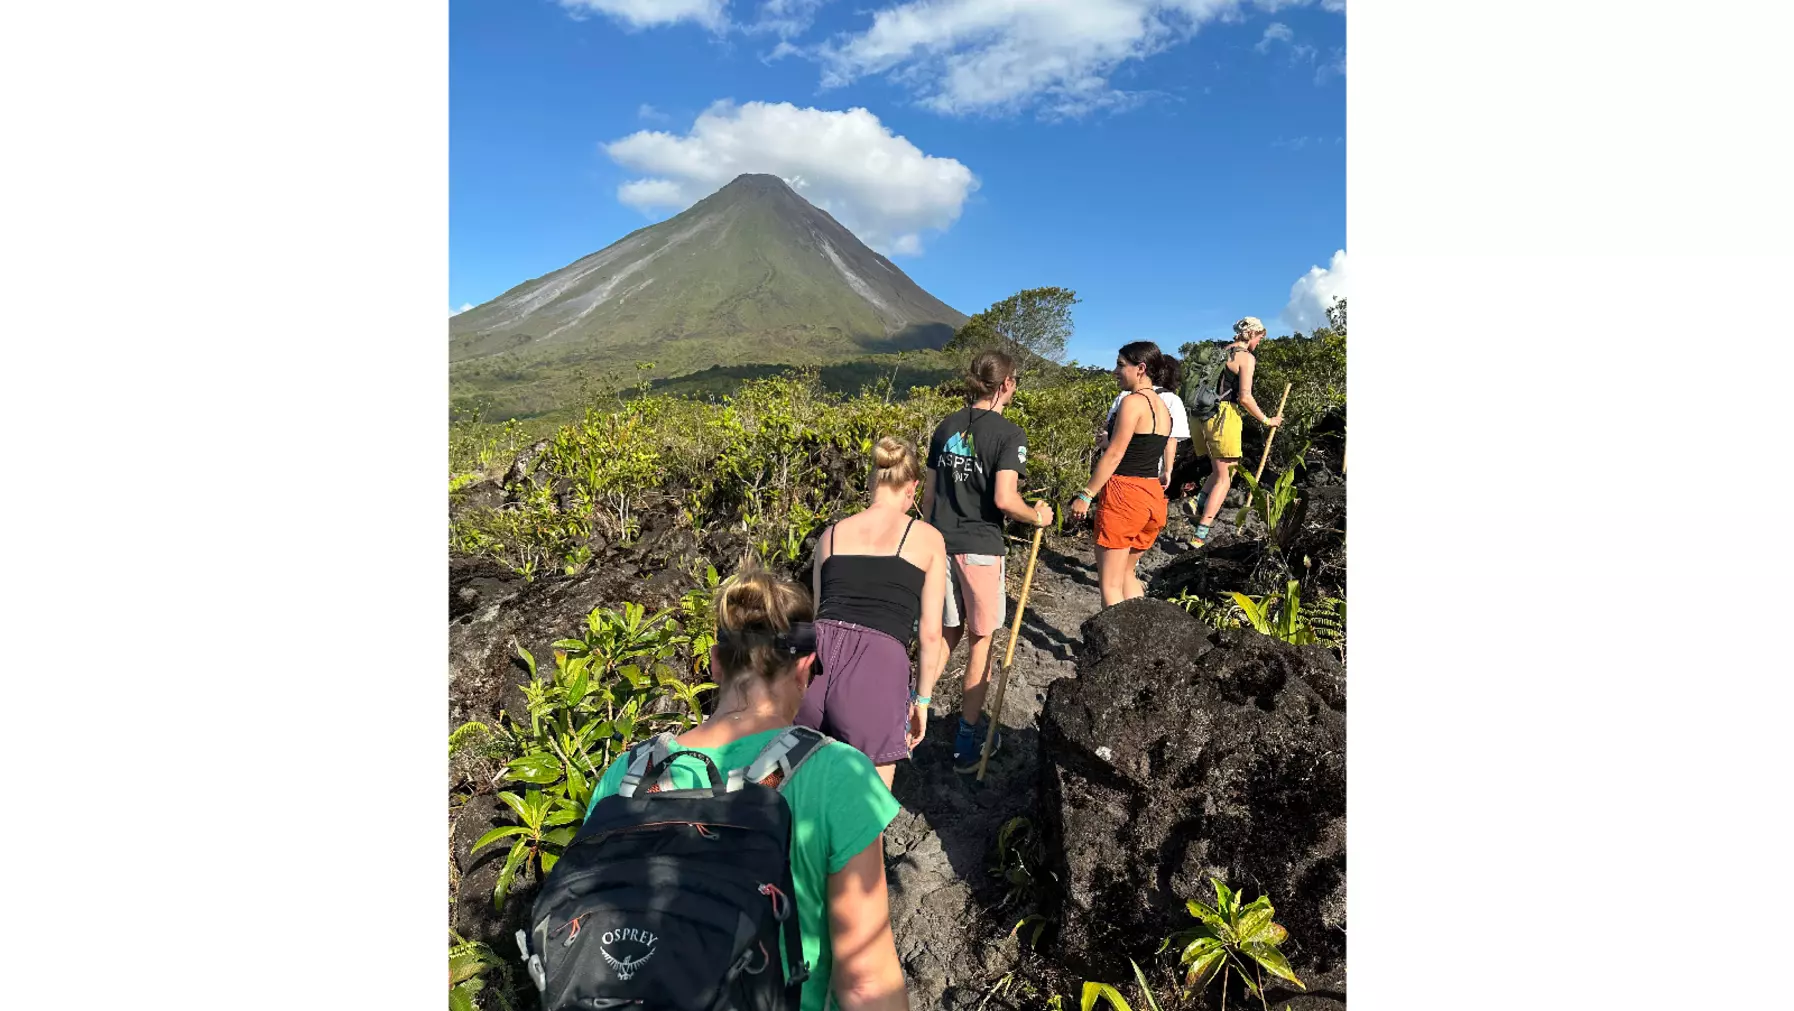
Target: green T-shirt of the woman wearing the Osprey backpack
[[839, 808]]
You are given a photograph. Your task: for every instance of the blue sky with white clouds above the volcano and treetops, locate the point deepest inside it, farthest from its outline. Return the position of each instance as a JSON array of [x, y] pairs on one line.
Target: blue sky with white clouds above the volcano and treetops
[[1180, 164]]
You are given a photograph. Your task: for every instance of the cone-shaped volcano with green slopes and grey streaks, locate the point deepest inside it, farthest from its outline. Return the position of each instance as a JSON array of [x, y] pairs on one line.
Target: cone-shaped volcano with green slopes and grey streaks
[[751, 275]]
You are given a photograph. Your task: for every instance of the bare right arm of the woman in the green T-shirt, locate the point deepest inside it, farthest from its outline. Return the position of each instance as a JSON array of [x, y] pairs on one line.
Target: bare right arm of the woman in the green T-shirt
[[867, 976]]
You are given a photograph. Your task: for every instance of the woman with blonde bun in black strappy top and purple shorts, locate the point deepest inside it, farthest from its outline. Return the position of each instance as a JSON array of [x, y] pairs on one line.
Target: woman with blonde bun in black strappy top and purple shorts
[[876, 576]]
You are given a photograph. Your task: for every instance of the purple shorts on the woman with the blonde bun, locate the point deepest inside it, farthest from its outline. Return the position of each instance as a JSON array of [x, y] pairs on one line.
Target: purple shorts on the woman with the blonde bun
[[862, 696]]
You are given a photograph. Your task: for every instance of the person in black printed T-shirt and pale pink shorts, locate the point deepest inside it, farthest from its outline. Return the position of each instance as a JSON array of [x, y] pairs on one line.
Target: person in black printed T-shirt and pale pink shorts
[[977, 460]]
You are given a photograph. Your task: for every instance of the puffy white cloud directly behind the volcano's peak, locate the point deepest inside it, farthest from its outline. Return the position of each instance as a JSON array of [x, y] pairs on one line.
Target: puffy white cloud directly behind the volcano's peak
[[849, 164]]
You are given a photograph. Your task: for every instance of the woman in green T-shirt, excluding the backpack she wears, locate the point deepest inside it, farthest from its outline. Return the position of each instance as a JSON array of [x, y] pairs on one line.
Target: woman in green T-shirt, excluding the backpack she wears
[[762, 662]]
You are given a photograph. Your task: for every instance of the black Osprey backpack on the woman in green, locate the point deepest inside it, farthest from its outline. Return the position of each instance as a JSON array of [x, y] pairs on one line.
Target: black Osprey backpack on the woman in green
[[674, 901]]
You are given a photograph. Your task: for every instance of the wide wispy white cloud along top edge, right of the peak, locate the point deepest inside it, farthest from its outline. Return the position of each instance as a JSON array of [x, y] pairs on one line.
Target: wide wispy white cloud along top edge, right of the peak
[[998, 56]]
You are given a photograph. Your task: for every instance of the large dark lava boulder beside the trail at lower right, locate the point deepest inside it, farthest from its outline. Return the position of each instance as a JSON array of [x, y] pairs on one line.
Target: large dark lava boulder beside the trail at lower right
[[1180, 754]]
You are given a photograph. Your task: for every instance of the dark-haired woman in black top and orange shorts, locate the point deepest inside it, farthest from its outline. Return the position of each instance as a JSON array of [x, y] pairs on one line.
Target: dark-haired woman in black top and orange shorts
[[1131, 476]]
